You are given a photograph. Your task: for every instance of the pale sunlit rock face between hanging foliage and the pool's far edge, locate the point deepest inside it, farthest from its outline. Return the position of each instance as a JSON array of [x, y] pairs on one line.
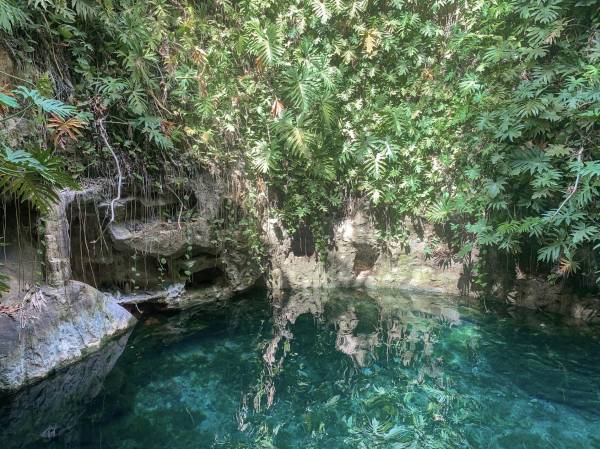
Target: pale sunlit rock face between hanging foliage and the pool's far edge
[[357, 260]]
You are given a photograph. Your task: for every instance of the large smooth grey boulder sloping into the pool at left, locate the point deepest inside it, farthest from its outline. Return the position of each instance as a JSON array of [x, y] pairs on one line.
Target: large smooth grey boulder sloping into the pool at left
[[54, 327]]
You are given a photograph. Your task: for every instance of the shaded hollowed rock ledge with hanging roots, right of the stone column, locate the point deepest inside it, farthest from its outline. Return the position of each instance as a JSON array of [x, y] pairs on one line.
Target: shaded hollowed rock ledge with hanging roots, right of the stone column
[[161, 248]]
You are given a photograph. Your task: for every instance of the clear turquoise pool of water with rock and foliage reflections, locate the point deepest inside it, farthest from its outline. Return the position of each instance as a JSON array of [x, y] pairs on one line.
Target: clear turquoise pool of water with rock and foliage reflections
[[343, 369]]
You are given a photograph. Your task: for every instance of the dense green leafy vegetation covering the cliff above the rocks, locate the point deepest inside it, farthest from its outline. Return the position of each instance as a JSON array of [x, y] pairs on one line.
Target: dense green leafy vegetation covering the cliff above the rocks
[[479, 116]]
